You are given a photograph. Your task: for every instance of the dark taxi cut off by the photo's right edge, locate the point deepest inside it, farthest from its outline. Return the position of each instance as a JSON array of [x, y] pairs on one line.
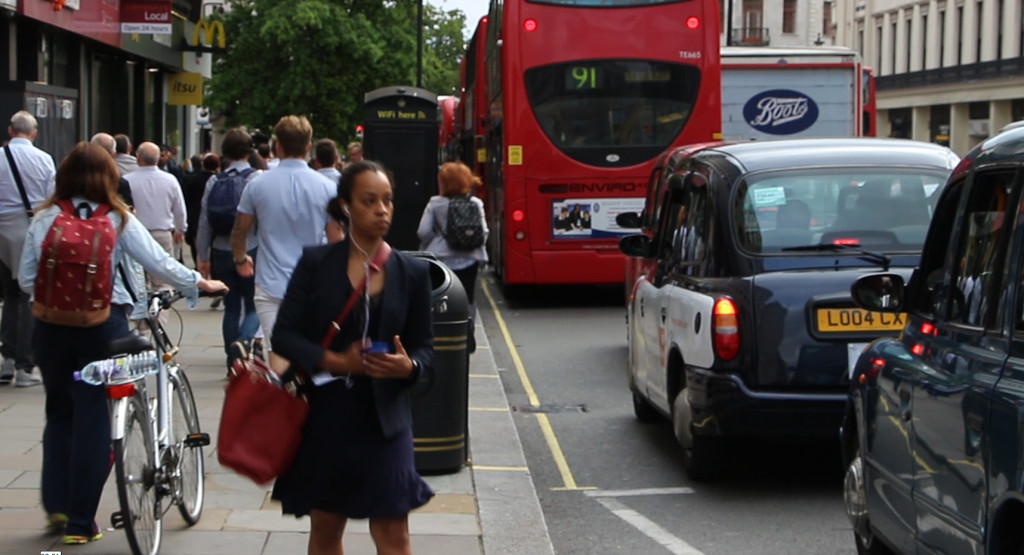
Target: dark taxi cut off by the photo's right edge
[[934, 434]]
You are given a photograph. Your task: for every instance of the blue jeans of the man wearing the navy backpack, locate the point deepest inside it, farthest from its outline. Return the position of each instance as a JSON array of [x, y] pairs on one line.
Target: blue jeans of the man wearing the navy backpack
[[235, 326]]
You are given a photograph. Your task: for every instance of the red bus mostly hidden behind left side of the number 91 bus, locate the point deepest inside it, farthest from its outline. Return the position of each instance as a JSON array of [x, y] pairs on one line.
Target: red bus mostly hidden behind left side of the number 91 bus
[[474, 109]]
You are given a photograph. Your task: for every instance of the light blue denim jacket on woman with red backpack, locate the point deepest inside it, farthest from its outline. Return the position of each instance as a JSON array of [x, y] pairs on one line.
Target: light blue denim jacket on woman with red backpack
[[135, 242]]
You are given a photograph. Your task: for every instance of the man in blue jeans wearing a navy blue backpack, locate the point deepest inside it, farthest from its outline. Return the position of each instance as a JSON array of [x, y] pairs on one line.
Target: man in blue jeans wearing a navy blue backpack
[[214, 241]]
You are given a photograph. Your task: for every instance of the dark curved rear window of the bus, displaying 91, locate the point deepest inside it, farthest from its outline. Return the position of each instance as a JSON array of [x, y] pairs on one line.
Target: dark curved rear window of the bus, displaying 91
[[630, 108]]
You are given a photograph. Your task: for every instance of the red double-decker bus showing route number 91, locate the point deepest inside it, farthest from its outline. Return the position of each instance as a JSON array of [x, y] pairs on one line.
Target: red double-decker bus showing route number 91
[[584, 96]]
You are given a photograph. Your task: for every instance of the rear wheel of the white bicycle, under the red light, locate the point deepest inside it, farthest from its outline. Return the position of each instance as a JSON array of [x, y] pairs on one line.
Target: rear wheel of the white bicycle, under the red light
[[136, 466]]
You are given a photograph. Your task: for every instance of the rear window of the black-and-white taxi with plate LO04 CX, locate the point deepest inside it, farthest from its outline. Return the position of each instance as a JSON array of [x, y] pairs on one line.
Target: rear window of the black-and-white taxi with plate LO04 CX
[[888, 211]]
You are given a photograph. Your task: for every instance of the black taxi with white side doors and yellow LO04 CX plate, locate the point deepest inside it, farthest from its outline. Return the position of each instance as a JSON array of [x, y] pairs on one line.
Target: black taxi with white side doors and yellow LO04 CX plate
[[740, 317]]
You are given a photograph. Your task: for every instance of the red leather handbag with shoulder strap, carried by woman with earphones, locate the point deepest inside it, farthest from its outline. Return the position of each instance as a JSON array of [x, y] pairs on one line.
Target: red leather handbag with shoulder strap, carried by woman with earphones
[[263, 419]]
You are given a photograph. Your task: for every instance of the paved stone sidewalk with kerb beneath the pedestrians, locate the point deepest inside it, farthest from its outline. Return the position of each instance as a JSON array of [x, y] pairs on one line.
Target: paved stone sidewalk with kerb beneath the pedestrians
[[489, 507]]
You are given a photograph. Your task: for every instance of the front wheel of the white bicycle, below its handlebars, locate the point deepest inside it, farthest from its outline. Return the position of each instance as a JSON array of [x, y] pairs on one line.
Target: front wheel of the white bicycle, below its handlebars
[[191, 471]]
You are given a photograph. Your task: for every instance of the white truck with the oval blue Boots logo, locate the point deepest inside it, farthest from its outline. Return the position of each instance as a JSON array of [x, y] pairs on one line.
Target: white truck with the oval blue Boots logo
[[782, 93]]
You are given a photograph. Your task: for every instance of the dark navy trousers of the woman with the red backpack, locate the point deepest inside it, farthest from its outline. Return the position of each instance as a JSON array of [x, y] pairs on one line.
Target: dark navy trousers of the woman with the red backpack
[[77, 438]]
